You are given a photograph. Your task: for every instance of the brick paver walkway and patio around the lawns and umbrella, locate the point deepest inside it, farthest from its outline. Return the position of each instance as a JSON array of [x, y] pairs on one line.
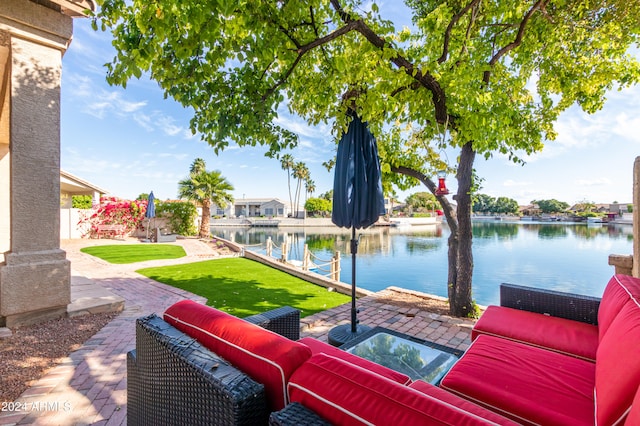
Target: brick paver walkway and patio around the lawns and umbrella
[[89, 386]]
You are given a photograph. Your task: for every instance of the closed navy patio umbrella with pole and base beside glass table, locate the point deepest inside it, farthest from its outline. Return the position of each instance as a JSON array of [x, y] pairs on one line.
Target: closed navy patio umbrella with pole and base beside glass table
[[358, 202]]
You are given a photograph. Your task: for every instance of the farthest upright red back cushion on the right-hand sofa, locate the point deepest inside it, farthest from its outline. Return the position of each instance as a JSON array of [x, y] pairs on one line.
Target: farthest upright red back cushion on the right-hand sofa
[[618, 291]]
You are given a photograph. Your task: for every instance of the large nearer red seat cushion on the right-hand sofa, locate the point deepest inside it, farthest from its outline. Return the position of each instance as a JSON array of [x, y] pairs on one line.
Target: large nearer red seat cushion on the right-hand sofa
[[525, 383]]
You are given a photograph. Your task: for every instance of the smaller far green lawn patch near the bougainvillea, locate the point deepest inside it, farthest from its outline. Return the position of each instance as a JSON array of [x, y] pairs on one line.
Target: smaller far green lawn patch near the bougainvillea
[[131, 253]]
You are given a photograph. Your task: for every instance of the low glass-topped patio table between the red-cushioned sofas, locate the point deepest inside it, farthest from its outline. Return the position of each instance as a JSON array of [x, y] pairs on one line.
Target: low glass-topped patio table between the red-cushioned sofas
[[417, 358]]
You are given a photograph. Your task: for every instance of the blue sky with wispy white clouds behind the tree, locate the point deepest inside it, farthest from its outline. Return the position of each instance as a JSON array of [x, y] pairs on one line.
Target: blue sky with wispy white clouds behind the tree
[[131, 141]]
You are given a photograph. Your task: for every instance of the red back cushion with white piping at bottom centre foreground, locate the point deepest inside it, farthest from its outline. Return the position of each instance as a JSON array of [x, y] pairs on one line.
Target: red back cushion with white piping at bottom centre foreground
[[346, 394]]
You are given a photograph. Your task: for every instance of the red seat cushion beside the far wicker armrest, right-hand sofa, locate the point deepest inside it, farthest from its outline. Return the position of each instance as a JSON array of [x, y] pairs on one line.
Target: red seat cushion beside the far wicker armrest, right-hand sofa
[[573, 338]]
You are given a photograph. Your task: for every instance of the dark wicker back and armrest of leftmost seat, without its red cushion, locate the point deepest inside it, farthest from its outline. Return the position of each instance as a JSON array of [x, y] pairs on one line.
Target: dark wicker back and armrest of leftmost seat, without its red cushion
[[173, 380]]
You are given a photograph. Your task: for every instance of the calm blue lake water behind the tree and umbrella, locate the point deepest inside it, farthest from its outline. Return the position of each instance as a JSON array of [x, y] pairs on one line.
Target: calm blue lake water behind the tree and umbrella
[[557, 256]]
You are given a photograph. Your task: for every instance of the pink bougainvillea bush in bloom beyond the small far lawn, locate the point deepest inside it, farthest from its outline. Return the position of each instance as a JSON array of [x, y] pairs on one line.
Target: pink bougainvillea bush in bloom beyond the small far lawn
[[115, 211]]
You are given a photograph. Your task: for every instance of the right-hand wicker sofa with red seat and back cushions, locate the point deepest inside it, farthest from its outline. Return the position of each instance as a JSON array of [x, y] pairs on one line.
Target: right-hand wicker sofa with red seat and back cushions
[[546, 357]]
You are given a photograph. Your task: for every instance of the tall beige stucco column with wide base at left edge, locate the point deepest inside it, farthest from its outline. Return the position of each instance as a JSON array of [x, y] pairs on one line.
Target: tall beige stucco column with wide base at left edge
[[35, 274]]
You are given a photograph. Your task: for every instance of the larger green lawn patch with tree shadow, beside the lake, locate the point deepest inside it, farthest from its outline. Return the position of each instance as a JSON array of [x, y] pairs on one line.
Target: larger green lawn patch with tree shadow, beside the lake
[[243, 287]]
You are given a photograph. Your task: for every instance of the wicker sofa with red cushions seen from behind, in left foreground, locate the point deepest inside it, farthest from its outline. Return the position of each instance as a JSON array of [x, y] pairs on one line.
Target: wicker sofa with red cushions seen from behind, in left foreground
[[198, 365]]
